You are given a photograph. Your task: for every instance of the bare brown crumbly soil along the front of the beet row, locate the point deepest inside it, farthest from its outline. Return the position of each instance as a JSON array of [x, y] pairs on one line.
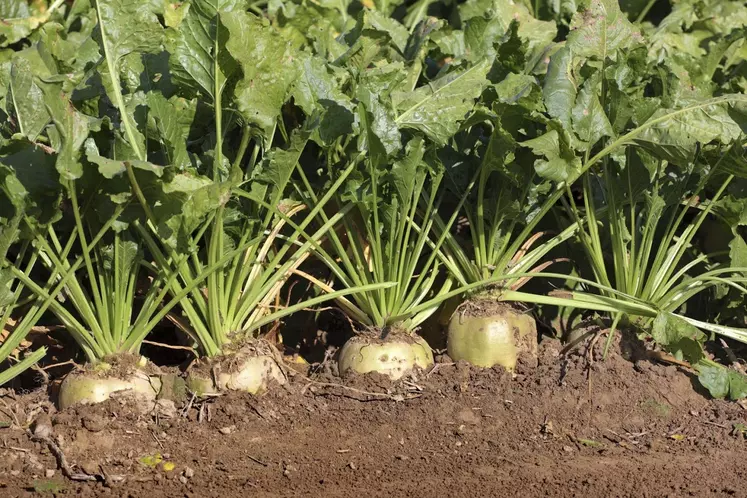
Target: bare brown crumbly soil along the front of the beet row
[[572, 426]]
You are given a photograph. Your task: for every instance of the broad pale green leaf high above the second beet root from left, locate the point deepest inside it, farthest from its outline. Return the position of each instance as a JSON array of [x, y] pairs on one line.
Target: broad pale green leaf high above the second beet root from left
[[270, 68]]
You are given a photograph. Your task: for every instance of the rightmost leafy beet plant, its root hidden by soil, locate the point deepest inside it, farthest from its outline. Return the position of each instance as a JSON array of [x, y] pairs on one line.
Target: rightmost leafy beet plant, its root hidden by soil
[[654, 165]]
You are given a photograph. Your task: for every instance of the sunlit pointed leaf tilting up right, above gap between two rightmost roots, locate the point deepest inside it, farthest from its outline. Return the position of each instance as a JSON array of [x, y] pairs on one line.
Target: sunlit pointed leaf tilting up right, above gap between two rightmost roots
[[437, 109]]
